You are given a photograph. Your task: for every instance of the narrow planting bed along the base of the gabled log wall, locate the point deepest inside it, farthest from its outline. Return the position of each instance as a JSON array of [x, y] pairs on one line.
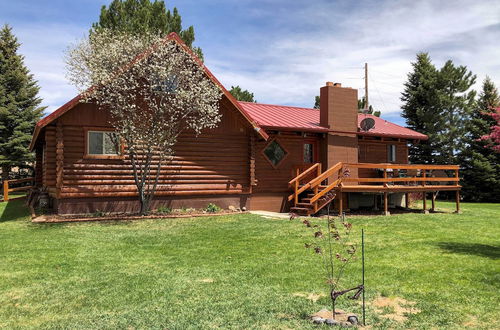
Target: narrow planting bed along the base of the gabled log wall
[[53, 218]]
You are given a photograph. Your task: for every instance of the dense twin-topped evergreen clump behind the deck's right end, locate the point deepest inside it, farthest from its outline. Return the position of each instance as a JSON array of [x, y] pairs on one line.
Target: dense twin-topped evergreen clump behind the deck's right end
[[437, 103]]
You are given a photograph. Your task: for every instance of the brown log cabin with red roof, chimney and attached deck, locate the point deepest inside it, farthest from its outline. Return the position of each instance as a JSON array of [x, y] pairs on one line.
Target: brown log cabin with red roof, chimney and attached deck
[[260, 157]]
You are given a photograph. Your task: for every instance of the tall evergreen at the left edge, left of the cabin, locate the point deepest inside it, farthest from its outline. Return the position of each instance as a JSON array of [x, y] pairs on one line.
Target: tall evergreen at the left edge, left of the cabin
[[19, 105]]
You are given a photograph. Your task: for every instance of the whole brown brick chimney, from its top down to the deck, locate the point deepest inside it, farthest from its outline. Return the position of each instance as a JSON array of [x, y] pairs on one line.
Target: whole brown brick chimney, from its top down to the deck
[[339, 112]]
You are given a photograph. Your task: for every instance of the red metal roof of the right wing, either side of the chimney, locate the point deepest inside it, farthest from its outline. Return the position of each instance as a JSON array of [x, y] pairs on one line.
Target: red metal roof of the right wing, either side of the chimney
[[306, 119]]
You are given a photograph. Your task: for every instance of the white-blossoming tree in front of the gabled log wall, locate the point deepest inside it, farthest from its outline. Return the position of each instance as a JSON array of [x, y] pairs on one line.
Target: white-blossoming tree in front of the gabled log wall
[[153, 88]]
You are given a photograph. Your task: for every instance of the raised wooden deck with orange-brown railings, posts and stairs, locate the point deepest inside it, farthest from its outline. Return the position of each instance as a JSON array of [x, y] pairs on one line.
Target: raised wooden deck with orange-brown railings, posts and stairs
[[314, 189]]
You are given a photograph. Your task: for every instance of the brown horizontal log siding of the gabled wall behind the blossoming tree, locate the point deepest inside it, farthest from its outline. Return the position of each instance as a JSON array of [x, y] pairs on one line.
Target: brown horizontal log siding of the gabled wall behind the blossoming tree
[[215, 162]]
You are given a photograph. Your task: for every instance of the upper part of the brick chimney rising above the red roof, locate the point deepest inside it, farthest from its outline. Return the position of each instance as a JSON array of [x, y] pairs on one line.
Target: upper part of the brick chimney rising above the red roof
[[339, 107]]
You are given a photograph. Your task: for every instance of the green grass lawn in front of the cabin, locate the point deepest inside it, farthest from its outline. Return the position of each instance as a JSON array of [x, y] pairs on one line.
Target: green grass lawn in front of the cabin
[[241, 271]]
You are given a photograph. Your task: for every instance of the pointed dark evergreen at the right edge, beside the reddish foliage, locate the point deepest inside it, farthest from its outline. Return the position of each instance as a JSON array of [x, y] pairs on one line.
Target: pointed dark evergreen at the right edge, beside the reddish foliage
[[481, 165]]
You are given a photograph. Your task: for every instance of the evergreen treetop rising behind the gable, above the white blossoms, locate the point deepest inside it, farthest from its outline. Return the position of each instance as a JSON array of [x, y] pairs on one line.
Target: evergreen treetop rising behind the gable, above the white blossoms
[[144, 16]]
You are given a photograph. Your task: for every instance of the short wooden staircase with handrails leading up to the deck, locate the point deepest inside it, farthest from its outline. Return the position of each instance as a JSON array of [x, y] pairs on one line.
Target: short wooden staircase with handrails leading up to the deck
[[311, 193]]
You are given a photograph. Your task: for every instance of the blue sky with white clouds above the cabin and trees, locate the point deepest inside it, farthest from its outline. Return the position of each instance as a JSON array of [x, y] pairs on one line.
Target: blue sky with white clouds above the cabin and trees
[[285, 50]]
